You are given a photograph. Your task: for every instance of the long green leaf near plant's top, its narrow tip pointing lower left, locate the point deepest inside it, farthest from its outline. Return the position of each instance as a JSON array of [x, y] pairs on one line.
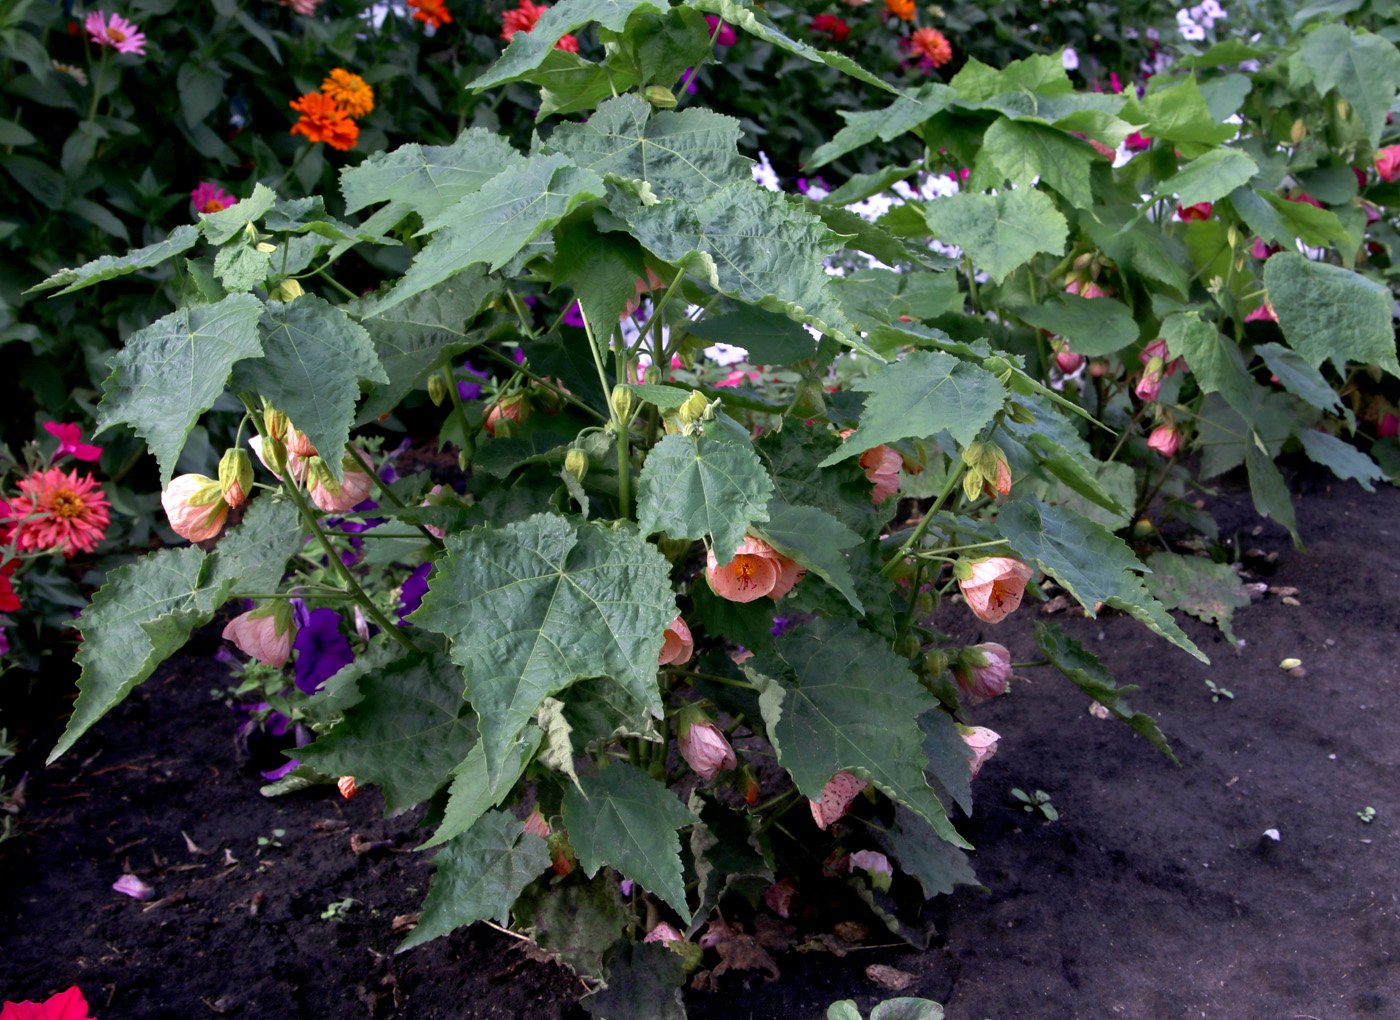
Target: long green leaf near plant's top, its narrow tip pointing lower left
[[498, 222]]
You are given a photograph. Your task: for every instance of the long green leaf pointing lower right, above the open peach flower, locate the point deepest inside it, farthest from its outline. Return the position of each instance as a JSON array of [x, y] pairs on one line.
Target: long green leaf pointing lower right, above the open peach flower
[[1090, 563]]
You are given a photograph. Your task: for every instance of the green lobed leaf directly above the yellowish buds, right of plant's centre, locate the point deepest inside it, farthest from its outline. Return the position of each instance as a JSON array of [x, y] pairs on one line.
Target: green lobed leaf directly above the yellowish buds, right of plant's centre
[[920, 397]]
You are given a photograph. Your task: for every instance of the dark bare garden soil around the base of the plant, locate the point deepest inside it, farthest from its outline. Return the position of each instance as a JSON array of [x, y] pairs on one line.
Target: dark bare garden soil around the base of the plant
[[1154, 896]]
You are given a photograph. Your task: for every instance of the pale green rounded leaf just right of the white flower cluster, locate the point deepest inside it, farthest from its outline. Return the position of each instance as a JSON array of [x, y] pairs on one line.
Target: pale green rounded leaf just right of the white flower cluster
[[999, 232]]
